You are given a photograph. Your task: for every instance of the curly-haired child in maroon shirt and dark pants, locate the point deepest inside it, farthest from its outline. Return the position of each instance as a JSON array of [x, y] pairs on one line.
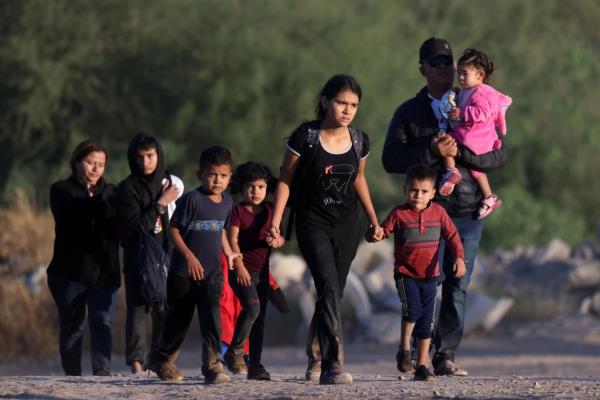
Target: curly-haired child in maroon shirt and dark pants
[[250, 223]]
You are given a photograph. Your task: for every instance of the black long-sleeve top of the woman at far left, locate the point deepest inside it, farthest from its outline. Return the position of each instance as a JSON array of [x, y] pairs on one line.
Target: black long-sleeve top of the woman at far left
[[86, 247]]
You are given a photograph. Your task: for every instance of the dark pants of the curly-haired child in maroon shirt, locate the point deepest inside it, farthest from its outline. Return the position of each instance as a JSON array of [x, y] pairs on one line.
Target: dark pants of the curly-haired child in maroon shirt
[[251, 321]]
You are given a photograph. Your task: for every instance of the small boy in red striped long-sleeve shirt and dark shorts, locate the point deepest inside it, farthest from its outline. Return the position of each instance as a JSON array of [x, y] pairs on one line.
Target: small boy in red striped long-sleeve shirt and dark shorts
[[418, 226]]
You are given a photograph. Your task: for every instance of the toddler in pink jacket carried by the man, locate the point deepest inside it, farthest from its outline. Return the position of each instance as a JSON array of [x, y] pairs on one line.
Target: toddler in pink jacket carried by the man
[[475, 122]]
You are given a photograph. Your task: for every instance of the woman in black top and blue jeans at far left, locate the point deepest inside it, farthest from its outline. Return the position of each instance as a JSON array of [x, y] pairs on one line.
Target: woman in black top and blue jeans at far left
[[84, 270]]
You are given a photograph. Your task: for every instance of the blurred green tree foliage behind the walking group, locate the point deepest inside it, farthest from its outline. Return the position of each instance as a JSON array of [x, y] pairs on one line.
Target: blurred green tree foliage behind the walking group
[[244, 73]]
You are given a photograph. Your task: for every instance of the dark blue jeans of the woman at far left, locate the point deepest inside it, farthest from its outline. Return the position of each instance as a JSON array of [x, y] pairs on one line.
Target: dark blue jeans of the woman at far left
[[71, 299]]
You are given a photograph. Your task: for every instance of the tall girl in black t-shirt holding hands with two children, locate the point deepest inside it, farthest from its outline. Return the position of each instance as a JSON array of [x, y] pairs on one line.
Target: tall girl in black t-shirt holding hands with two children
[[326, 208]]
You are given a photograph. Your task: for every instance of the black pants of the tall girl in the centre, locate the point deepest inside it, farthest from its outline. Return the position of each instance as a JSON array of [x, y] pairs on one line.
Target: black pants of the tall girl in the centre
[[328, 251]]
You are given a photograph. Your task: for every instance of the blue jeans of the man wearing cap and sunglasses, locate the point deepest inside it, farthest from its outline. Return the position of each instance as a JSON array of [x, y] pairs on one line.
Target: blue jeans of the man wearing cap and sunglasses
[[450, 325]]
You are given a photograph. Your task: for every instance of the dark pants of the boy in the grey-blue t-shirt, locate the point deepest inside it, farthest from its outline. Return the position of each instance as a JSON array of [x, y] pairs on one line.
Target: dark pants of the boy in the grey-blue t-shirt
[[184, 295]]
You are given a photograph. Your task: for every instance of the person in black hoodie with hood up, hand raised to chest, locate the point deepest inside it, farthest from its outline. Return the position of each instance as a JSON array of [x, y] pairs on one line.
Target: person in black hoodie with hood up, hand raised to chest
[[144, 199]]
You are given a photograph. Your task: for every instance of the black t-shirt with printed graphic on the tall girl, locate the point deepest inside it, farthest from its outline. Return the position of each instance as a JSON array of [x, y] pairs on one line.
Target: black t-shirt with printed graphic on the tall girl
[[327, 191]]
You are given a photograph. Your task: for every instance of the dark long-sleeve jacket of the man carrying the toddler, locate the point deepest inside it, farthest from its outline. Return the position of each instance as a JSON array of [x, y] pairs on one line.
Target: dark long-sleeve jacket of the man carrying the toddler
[[408, 143]]
